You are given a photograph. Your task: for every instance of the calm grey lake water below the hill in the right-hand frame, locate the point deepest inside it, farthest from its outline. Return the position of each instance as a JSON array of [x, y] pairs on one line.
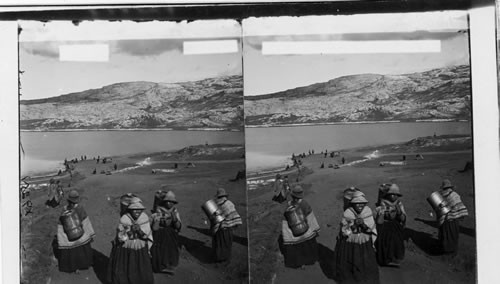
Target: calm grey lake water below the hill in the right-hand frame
[[272, 147]]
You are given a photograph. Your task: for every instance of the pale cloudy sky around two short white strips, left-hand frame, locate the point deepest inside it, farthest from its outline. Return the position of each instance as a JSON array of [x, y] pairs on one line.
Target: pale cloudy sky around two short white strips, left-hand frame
[[146, 52]]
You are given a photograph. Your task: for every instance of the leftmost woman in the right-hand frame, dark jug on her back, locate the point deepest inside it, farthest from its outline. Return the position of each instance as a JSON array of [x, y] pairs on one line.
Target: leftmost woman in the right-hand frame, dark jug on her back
[[299, 230]]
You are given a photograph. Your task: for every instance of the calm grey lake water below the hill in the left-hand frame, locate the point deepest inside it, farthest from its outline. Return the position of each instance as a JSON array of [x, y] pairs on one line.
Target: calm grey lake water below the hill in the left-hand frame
[[46, 151]]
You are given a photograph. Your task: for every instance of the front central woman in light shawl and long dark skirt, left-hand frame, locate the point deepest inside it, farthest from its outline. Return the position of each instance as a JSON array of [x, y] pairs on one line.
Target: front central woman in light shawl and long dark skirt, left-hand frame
[[130, 262]]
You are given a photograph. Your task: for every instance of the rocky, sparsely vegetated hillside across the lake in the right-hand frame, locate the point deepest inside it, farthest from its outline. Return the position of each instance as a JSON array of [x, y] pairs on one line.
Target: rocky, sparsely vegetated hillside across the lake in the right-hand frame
[[443, 93]]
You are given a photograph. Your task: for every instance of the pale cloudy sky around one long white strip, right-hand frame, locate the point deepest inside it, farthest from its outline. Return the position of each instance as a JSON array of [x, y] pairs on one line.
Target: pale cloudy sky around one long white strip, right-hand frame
[[264, 74]]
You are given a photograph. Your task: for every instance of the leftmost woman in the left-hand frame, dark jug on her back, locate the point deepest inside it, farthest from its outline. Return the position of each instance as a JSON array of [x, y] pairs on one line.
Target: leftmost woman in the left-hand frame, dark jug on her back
[[74, 235]]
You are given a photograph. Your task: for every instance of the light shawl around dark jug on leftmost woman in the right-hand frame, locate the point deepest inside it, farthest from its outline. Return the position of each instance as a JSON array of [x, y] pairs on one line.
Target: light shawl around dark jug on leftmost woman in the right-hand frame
[[312, 232]]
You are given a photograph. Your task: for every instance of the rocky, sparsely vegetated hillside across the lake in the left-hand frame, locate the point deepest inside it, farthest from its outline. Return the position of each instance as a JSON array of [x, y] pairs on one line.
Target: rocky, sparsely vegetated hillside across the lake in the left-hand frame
[[208, 103]]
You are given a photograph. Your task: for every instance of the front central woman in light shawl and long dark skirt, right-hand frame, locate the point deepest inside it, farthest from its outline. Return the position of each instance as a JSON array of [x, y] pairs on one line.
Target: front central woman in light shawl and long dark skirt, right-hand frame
[[354, 253]]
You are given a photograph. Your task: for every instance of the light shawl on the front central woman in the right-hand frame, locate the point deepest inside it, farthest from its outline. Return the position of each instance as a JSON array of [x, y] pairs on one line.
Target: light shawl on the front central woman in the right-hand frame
[[348, 221]]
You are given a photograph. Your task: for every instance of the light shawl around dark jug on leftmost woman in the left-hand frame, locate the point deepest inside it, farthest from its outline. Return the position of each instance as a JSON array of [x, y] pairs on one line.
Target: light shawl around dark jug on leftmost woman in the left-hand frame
[[88, 231]]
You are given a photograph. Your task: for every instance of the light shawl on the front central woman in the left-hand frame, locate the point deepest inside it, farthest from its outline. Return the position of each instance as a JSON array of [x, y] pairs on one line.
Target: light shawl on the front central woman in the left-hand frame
[[125, 226]]
